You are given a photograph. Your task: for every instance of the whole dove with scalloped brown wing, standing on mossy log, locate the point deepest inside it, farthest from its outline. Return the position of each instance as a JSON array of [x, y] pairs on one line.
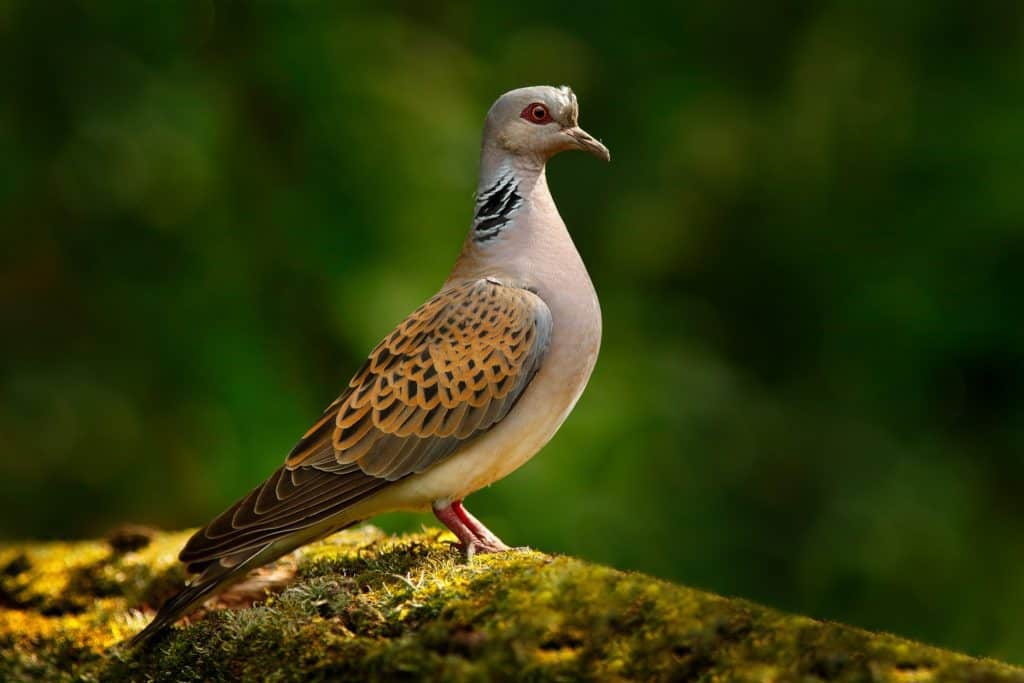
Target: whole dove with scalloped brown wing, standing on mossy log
[[466, 390]]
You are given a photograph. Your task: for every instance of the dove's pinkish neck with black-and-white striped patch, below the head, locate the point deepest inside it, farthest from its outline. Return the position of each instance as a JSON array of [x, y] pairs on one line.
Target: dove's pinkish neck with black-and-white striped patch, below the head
[[516, 223]]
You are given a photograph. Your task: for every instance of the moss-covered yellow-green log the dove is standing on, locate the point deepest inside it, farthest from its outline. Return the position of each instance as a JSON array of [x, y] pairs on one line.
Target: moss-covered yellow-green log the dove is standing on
[[367, 607]]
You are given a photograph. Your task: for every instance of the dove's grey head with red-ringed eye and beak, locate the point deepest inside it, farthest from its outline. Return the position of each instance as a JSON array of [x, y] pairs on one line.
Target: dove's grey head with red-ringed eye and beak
[[539, 122]]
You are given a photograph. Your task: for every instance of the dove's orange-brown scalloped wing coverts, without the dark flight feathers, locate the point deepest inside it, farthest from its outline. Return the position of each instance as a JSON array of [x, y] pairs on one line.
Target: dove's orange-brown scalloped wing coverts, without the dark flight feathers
[[451, 370]]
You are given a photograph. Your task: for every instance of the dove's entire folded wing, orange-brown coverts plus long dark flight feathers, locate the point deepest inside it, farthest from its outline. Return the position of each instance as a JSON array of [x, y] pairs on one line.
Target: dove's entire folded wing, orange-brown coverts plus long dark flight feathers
[[450, 372]]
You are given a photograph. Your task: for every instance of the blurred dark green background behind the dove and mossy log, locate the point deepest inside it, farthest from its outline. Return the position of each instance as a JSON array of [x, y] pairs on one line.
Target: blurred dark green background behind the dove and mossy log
[[809, 249]]
